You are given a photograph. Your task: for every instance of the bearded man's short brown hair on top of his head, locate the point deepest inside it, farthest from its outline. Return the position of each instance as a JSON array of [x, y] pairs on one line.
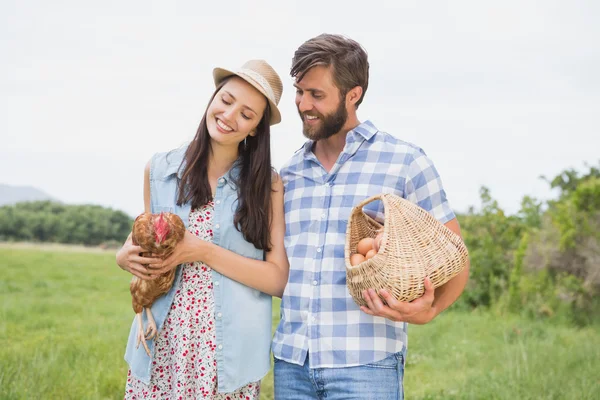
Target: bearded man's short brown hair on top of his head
[[348, 59]]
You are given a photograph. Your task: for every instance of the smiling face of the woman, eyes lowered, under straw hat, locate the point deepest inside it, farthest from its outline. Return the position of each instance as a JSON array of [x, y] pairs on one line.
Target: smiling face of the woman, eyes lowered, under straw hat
[[235, 112]]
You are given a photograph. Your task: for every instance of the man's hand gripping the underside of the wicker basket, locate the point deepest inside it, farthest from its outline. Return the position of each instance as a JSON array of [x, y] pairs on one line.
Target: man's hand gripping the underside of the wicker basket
[[419, 311]]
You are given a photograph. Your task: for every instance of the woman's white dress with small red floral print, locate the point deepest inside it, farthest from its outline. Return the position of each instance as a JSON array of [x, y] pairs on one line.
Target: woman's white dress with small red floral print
[[184, 364]]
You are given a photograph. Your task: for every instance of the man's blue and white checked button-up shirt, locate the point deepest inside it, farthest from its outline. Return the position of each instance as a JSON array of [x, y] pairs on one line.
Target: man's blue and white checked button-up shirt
[[318, 315]]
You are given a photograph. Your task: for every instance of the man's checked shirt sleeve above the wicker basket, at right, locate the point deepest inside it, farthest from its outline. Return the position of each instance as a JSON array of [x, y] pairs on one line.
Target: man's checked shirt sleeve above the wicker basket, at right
[[423, 186]]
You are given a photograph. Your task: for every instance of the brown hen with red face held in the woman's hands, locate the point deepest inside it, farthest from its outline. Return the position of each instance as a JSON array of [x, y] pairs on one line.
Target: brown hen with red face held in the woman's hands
[[158, 234]]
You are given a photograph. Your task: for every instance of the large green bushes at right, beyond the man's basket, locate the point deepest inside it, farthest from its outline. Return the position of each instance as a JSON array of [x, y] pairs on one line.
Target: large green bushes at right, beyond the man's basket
[[542, 262]]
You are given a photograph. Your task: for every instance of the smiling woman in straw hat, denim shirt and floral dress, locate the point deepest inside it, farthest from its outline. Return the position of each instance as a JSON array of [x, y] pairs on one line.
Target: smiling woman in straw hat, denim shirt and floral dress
[[215, 322]]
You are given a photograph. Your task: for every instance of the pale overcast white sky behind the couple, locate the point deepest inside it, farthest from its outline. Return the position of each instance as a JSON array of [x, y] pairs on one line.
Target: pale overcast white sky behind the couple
[[496, 93]]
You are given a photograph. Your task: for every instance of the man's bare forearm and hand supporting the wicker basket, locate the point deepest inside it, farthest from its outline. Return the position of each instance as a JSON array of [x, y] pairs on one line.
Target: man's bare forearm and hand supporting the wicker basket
[[425, 308]]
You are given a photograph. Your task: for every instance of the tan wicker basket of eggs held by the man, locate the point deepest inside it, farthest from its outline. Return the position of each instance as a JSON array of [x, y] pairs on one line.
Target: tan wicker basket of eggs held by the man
[[414, 246]]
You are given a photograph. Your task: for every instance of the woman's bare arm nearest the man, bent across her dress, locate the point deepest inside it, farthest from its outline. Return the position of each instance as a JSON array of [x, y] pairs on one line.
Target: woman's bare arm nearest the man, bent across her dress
[[268, 276]]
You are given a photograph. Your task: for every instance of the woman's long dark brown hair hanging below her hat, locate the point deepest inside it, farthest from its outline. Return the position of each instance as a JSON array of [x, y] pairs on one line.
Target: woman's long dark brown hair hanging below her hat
[[253, 214]]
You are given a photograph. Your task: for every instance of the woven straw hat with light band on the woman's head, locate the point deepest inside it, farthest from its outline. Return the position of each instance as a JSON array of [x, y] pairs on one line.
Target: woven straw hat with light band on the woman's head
[[263, 77]]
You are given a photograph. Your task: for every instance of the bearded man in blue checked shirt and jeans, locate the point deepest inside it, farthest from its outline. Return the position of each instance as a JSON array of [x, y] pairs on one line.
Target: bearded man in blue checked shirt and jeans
[[325, 345]]
